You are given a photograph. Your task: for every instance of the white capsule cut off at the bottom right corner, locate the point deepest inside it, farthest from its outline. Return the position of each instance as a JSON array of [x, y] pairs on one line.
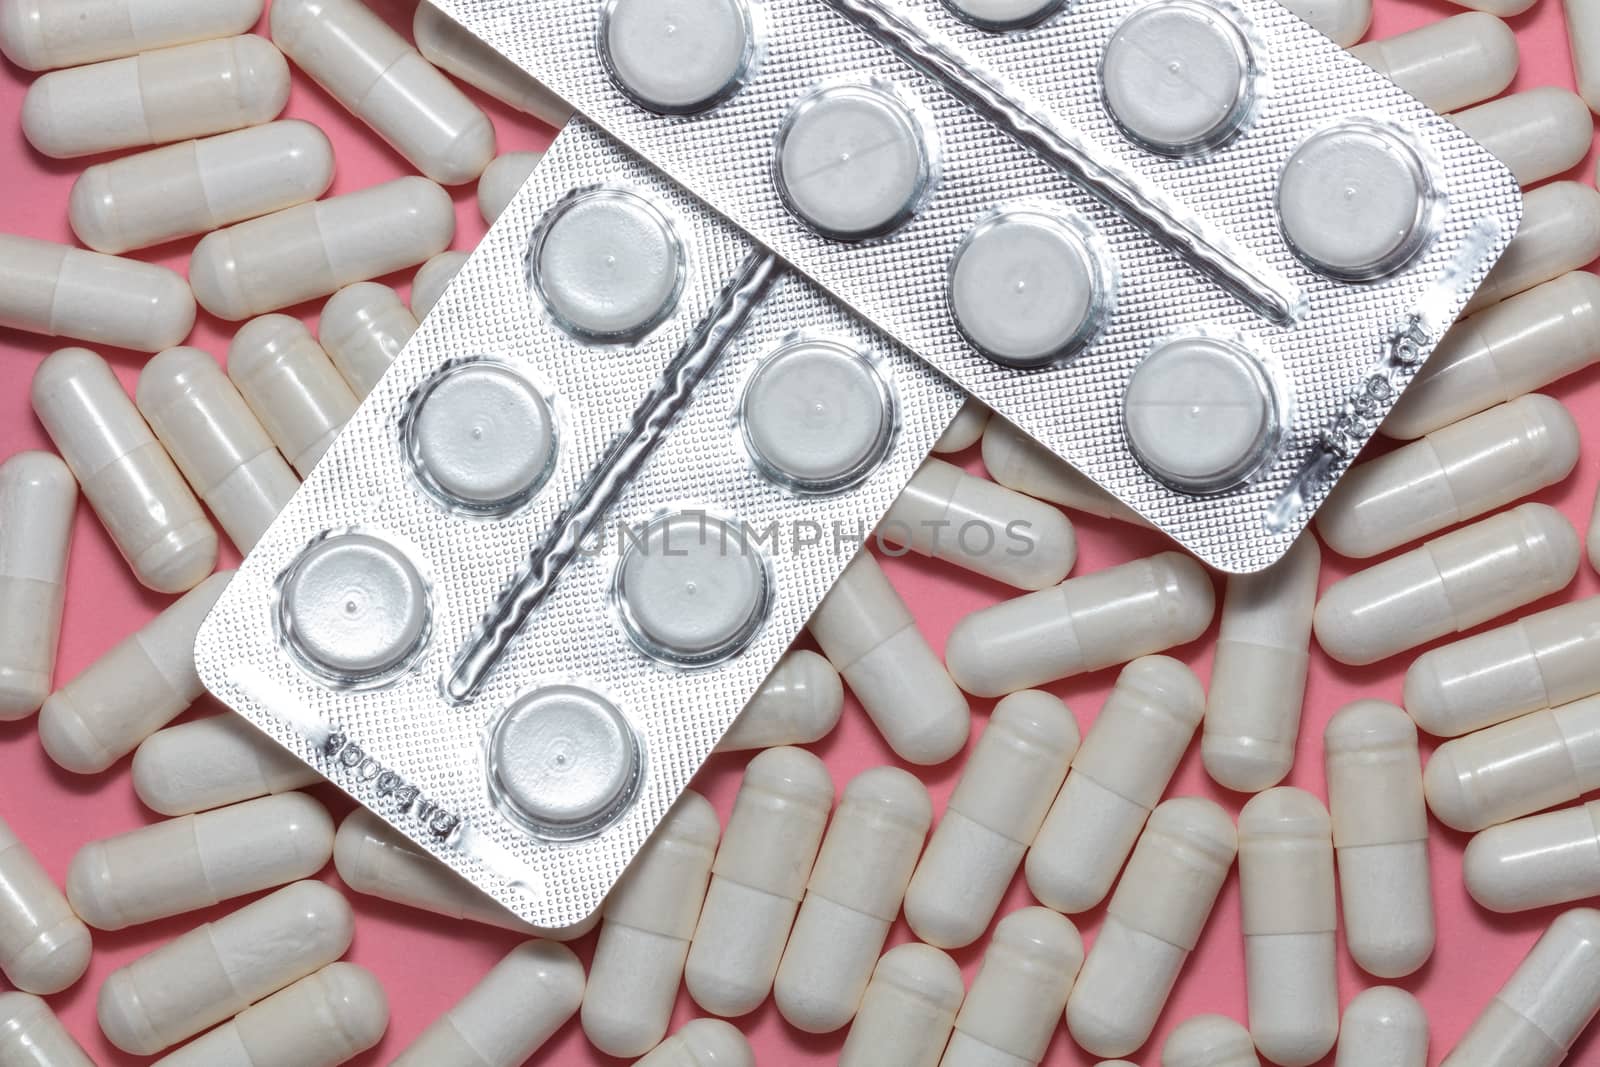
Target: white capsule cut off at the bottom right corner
[[1545, 1005]]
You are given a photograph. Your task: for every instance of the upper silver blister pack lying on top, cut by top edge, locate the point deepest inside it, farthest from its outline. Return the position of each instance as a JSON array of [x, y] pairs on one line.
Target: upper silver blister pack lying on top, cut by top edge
[[1190, 246]]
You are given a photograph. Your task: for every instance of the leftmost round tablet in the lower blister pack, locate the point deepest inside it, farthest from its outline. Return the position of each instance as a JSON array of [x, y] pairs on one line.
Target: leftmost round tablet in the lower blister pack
[[354, 609]]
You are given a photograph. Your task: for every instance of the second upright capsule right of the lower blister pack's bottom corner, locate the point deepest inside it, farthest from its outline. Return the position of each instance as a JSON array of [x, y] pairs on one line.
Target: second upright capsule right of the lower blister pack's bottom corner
[[758, 881]]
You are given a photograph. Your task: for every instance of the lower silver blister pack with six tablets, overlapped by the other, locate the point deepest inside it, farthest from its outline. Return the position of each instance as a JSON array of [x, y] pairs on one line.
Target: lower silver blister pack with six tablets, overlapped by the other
[[572, 530]]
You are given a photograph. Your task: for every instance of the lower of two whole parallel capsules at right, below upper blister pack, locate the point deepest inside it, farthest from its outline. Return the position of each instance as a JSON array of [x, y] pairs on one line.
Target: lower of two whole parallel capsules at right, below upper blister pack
[[1449, 585]]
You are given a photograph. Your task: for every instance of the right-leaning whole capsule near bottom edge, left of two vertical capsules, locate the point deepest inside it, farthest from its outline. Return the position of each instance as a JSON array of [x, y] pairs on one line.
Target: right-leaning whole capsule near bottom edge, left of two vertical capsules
[[1154, 921]]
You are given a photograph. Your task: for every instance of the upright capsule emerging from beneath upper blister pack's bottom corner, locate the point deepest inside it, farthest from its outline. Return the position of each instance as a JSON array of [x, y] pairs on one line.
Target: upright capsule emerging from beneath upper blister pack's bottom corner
[[1258, 676]]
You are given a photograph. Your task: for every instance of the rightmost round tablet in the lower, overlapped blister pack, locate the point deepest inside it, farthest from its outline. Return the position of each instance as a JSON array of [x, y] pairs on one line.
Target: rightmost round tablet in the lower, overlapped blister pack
[[817, 417]]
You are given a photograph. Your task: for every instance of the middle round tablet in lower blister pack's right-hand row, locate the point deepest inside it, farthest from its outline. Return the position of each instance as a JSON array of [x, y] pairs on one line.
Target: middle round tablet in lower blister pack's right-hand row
[[692, 589]]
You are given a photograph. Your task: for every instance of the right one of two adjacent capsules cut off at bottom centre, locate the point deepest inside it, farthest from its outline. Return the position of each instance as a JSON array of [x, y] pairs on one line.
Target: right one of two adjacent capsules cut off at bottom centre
[[1015, 1005]]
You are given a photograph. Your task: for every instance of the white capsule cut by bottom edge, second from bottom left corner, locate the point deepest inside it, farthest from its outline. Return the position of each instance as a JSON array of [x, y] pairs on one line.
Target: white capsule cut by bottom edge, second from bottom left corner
[[319, 1021]]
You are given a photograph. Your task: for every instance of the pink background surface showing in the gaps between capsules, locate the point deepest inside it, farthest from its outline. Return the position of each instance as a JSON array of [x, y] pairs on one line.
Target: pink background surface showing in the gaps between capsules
[[428, 964]]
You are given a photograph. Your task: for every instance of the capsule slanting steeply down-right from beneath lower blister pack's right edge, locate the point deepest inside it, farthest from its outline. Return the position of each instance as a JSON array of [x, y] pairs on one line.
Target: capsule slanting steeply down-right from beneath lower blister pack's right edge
[[868, 633]]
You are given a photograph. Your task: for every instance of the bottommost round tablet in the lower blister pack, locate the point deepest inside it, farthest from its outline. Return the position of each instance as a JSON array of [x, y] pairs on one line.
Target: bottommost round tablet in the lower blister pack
[[562, 762]]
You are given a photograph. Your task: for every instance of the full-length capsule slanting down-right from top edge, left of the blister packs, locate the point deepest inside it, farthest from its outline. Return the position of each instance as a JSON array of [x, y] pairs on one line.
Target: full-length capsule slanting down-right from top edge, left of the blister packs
[[375, 73]]
